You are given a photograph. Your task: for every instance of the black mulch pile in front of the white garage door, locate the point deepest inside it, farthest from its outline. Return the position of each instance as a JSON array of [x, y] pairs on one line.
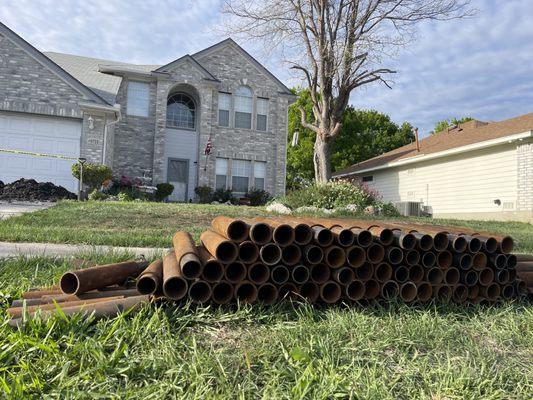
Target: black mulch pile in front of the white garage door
[[31, 190]]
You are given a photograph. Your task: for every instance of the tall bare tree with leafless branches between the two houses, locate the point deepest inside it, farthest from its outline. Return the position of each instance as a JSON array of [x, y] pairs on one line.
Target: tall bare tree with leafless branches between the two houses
[[336, 46]]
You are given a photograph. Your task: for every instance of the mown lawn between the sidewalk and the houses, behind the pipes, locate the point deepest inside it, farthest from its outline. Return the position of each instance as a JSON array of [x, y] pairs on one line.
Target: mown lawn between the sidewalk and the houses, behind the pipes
[[153, 224]]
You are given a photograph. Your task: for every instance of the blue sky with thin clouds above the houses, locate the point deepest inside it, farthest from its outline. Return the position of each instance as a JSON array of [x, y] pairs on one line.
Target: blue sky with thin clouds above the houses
[[480, 67]]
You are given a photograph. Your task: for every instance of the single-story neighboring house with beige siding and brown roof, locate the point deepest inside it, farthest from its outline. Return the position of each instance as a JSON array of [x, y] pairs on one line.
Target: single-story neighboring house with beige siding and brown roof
[[475, 170]]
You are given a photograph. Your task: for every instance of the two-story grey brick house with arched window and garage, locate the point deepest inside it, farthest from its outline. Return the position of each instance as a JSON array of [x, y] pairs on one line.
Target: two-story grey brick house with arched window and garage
[[148, 121]]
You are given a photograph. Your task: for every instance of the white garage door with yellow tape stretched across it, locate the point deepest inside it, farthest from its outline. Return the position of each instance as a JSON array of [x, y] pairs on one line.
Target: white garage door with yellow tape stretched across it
[[41, 135]]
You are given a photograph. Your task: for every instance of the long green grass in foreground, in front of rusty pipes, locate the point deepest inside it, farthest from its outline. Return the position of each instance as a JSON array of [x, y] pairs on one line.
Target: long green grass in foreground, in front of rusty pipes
[[289, 351]]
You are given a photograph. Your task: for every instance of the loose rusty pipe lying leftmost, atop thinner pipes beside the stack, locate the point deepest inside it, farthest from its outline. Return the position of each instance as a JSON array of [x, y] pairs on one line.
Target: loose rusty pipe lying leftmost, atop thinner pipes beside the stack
[[84, 280]]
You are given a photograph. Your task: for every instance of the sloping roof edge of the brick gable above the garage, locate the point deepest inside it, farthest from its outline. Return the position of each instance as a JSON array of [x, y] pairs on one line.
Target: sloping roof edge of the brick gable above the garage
[[50, 65]]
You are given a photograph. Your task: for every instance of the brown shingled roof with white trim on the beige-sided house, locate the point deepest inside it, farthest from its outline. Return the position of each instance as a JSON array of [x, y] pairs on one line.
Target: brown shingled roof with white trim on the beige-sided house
[[466, 135]]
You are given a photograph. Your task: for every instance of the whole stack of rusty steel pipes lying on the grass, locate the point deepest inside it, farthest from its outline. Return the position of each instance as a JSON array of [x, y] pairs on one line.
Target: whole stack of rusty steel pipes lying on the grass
[[320, 260]]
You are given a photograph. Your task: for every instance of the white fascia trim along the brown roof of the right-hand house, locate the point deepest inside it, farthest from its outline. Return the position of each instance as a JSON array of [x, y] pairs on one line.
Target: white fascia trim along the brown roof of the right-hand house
[[444, 153]]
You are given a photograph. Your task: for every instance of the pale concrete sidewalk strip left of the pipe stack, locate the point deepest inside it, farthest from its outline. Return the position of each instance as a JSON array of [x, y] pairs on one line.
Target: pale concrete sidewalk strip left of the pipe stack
[[8, 249]]
